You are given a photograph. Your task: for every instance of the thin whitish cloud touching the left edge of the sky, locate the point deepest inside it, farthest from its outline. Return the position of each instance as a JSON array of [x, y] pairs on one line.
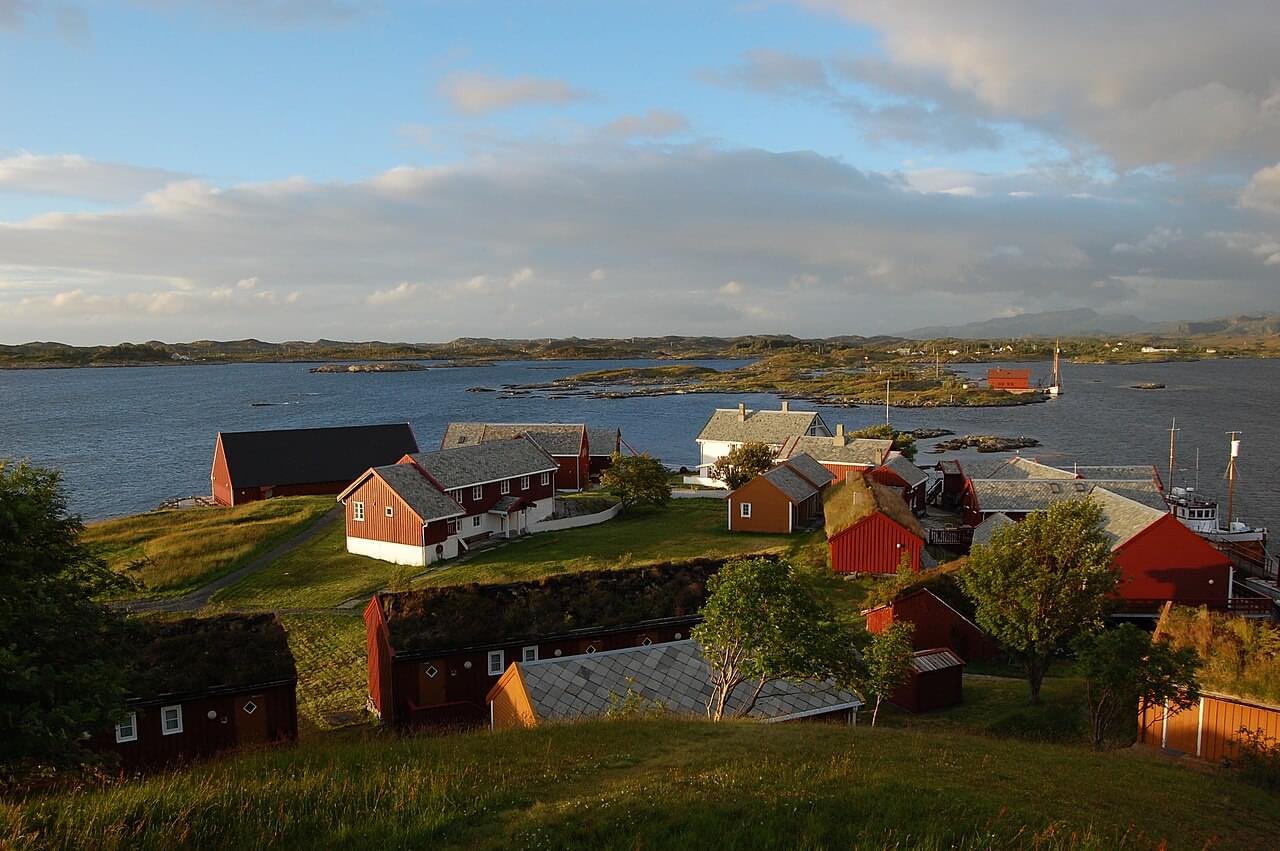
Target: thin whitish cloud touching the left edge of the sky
[[76, 177]]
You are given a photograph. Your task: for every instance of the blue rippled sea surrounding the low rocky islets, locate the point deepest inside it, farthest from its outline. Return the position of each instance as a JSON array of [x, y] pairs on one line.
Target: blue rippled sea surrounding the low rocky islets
[[130, 438]]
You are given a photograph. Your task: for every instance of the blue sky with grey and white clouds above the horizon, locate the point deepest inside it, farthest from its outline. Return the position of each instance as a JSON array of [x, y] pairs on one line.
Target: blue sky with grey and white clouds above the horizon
[[301, 170]]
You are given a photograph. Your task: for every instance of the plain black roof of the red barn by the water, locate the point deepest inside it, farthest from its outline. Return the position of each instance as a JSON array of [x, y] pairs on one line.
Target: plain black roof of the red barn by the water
[[307, 456]]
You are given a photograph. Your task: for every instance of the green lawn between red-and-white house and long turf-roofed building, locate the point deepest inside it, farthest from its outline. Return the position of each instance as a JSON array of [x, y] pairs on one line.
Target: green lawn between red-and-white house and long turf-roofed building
[[685, 529]]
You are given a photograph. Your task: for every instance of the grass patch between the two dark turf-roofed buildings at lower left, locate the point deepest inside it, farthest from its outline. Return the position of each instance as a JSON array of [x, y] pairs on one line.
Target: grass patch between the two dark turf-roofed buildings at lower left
[[332, 665]]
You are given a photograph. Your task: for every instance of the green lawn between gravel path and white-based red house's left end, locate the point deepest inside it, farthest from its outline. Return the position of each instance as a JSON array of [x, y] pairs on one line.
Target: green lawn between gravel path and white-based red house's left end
[[321, 574]]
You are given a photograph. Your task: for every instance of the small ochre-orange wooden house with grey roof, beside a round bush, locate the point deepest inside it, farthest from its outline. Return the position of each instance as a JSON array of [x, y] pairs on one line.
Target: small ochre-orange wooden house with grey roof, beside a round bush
[[780, 501]]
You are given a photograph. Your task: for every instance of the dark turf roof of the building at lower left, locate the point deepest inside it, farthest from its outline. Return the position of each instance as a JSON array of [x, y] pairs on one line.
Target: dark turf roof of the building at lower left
[[223, 653]]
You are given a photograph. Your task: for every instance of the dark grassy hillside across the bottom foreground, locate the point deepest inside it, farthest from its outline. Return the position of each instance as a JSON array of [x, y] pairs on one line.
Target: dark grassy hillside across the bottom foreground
[[664, 785]]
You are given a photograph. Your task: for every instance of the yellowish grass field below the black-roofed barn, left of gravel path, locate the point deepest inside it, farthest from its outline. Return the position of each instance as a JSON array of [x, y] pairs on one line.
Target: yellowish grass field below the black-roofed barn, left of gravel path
[[176, 552]]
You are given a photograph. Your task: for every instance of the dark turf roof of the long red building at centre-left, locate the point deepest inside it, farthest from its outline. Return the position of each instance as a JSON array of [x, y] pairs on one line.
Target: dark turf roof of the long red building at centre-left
[[476, 615]]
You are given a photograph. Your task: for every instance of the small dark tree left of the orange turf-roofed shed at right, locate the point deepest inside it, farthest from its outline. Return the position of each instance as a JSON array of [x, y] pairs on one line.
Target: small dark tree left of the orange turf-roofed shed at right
[[1124, 666]]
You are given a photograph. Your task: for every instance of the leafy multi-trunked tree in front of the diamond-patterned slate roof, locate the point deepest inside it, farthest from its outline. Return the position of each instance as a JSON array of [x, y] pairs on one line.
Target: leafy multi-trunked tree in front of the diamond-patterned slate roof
[[760, 625]]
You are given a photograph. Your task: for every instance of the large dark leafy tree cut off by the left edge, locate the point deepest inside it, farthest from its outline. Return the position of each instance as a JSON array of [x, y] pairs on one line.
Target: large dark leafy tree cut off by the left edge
[[62, 661]]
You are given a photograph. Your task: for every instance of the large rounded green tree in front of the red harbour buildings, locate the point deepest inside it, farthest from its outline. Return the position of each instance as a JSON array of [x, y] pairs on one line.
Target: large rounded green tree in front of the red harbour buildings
[[1043, 583]]
